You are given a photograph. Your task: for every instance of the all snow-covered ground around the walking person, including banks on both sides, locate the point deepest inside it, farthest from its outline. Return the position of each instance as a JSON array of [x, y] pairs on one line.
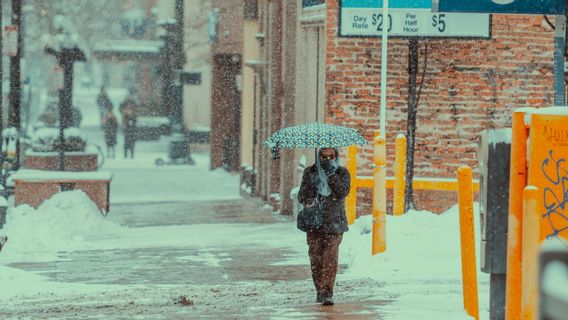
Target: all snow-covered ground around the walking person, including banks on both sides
[[419, 277]]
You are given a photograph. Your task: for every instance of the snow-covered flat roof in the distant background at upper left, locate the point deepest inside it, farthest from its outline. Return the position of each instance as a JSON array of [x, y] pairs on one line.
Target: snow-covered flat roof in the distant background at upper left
[[127, 49]]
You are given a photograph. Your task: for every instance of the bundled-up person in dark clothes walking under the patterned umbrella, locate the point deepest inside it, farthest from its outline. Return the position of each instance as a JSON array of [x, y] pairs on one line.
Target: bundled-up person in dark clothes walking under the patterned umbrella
[[329, 183]]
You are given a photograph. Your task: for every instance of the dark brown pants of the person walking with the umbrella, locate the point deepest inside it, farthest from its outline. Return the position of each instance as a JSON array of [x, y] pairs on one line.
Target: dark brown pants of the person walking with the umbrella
[[323, 250]]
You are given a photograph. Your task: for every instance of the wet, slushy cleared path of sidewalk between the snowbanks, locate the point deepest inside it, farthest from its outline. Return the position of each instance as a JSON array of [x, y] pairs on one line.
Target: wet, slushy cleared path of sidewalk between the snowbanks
[[223, 279]]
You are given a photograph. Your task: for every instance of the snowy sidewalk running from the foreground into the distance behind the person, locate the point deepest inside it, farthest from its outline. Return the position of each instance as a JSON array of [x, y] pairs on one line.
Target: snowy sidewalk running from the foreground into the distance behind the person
[[228, 257]]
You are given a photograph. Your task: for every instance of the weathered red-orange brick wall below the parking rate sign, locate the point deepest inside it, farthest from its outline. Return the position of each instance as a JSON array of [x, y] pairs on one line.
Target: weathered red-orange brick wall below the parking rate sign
[[470, 85]]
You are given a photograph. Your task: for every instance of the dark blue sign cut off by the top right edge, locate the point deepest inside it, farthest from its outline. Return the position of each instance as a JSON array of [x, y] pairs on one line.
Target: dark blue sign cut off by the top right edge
[[556, 7]]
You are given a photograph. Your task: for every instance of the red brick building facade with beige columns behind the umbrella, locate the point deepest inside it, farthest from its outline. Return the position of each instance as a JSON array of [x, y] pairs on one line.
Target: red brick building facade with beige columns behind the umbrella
[[306, 72]]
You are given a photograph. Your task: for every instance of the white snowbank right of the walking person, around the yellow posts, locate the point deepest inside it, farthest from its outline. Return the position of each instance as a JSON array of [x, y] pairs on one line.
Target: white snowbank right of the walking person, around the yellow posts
[[421, 268]]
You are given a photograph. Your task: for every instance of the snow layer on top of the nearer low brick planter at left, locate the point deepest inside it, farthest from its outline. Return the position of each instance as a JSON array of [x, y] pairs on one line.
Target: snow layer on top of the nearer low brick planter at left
[[41, 175]]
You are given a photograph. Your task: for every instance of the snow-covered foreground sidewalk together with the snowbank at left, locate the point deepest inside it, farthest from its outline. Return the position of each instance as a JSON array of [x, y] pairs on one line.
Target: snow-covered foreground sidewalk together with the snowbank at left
[[101, 269]]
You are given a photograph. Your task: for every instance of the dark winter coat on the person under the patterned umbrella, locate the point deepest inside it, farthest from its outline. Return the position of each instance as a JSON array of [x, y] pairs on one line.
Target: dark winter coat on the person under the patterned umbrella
[[334, 217]]
